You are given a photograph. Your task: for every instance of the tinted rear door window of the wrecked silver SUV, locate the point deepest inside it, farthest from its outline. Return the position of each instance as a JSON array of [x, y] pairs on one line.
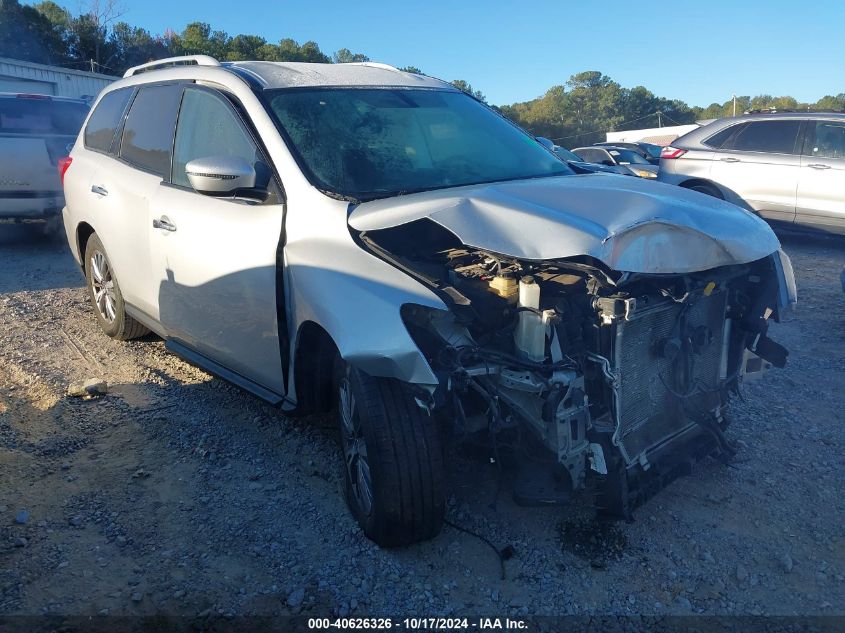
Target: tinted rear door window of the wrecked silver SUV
[[148, 133]]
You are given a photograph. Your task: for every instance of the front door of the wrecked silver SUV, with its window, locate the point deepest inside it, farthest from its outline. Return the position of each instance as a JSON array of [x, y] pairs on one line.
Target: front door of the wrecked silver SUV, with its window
[[216, 258]]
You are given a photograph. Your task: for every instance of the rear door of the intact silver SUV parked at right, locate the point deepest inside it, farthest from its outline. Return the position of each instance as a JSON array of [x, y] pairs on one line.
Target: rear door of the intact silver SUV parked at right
[[760, 164]]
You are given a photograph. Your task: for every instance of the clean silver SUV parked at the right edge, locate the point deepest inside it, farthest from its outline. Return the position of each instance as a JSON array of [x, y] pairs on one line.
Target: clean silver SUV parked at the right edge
[[788, 167]]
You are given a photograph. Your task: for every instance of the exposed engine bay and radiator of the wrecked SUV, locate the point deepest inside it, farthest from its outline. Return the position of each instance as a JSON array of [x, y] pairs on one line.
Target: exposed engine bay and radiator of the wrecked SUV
[[621, 378]]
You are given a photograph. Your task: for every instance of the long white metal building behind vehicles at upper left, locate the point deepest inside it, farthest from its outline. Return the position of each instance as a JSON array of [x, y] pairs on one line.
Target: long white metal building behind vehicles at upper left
[[20, 76]]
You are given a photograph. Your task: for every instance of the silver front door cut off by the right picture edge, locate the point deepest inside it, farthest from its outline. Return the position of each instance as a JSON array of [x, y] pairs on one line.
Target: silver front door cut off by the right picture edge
[[821, 185]]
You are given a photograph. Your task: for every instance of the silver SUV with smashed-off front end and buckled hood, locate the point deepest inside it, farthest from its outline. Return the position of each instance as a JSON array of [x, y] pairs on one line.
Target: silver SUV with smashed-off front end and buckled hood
[[354, 238]]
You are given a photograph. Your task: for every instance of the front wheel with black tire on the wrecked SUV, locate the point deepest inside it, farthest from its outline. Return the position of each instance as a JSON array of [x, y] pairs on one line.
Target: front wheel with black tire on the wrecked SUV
[[403, 455]]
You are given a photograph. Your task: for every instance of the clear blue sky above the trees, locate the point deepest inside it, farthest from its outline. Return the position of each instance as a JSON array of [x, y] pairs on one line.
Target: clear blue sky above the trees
[[699, 52]]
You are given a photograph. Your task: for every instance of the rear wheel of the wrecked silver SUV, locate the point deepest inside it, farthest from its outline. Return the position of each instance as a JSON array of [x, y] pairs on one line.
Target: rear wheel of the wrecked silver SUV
[[110, 309]]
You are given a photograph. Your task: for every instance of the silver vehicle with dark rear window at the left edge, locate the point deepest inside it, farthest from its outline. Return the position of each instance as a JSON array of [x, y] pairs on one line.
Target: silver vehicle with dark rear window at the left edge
[[35, 133]]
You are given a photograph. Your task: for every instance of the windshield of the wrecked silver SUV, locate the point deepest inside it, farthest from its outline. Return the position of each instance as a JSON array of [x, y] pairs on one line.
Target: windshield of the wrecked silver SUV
[[374, 143]]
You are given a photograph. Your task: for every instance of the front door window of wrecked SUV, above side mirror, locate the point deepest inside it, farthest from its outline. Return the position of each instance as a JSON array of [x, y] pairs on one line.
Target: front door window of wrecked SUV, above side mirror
[[208, 127]]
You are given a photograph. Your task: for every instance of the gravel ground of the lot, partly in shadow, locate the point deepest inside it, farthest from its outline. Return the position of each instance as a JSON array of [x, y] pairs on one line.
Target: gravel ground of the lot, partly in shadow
[[179, 494]]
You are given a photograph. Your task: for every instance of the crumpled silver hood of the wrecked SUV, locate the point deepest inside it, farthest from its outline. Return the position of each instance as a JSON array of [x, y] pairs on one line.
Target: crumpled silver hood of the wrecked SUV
[[629, 224]]
